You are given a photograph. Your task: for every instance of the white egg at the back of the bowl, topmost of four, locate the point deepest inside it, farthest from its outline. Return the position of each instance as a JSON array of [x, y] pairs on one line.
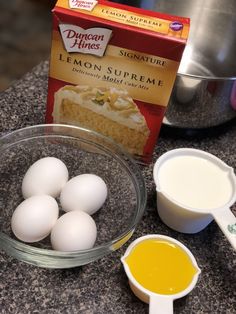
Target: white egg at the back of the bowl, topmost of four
[[46, 176]]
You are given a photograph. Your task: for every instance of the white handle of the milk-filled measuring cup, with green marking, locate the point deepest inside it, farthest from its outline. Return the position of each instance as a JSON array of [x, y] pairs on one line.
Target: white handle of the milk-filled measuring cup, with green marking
[[227, 223]]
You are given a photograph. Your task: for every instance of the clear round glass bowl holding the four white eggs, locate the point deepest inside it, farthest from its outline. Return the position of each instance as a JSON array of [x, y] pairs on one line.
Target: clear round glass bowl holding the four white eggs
[[83, 151]]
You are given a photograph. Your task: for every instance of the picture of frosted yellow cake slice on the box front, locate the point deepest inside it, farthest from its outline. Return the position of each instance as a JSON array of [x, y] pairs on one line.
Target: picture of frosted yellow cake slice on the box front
[[109, 111]]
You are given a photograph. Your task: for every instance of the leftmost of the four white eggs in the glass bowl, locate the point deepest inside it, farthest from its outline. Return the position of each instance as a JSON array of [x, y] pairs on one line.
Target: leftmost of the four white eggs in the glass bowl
[[34, 218]]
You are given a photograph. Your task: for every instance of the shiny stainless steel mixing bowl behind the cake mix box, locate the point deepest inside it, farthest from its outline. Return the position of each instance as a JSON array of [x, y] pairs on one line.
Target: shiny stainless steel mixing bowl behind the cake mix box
[[204, 94]]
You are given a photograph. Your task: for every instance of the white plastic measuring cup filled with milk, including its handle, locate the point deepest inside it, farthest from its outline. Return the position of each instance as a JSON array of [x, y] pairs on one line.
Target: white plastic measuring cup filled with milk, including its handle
[[193, 188]]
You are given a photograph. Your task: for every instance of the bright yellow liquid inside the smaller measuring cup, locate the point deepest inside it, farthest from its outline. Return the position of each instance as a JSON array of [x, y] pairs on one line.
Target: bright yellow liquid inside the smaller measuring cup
[[161, 266]]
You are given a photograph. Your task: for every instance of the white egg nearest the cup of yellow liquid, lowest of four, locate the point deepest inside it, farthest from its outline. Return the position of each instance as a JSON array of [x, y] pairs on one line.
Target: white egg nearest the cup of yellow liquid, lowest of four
[[73, 231]]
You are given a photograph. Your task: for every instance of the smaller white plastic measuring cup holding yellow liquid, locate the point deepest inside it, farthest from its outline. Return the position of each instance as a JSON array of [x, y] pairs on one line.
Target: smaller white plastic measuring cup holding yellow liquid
[[159, 303]]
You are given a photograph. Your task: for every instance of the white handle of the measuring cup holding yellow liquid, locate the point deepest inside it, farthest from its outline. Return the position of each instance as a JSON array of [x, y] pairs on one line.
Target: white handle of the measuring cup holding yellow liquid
[[160, 305]]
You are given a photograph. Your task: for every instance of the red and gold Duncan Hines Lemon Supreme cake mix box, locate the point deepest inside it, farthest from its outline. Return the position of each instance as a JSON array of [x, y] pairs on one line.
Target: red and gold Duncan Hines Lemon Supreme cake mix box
[[112, 70]]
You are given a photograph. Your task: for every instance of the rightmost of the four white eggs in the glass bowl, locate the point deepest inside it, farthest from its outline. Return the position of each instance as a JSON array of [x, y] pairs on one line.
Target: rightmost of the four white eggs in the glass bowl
[[86, 192]]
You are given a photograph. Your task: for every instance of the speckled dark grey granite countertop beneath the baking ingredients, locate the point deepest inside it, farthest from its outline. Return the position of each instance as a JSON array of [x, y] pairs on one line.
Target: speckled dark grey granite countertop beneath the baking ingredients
[[102, 286]]
